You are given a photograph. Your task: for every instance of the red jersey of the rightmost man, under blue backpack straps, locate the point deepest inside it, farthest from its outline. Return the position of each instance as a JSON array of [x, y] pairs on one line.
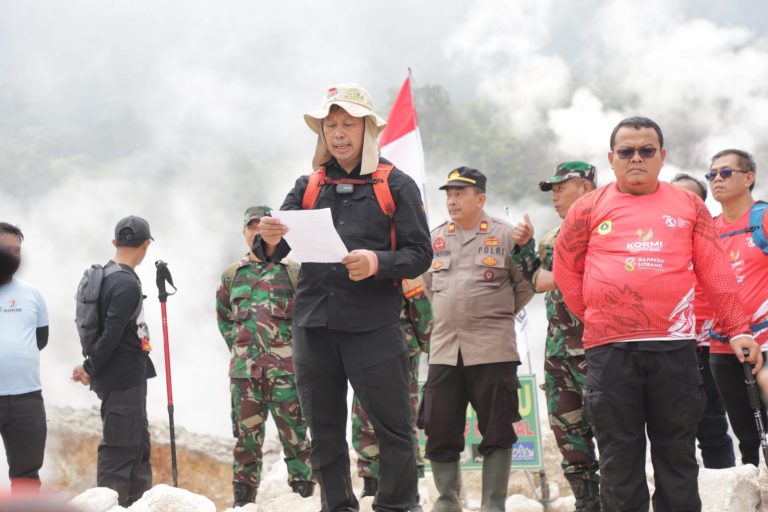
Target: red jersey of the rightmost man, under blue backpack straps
[[750, 265]]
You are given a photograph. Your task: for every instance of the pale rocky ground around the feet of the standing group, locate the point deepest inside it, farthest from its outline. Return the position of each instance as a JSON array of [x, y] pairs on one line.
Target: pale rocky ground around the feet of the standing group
[[205, 476]]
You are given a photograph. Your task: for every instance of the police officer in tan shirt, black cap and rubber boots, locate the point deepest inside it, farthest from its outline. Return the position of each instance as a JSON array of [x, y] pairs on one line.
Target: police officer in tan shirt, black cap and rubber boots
[[476, 292]]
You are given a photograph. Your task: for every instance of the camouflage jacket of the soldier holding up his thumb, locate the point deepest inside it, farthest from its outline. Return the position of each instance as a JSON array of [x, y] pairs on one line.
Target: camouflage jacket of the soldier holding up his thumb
[[564, 331]]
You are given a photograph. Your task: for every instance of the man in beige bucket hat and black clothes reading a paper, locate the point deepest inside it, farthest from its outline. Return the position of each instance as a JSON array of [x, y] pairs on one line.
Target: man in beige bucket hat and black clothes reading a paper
[[346, 314]]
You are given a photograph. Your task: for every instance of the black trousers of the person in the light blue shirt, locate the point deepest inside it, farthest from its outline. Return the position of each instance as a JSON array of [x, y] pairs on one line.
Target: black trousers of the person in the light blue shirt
[[23, 429]]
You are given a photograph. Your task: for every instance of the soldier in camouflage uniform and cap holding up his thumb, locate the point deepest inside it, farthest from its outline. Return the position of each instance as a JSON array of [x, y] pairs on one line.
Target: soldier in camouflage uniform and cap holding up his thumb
[[565, 364]]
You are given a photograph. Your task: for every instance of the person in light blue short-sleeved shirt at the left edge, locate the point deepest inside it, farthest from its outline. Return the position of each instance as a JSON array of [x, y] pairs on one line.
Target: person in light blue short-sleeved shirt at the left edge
[[23, 334]]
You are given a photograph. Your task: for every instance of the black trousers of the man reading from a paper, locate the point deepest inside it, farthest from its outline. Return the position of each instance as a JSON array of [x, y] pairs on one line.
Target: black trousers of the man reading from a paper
[[375, 363]]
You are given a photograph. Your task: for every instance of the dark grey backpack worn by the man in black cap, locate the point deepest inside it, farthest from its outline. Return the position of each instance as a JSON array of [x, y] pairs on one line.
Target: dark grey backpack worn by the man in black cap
[[87, 303]]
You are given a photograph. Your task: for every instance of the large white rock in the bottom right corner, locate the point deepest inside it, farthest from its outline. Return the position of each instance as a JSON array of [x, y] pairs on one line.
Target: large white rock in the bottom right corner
[[733, 489]]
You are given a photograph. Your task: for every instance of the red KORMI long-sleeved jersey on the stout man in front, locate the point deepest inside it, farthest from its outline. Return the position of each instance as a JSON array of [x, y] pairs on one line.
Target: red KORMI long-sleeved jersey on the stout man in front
[[627, 265]]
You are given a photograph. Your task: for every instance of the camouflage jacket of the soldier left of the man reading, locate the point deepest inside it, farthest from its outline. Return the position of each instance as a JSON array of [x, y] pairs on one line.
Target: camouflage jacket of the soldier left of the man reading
[[254, 315]]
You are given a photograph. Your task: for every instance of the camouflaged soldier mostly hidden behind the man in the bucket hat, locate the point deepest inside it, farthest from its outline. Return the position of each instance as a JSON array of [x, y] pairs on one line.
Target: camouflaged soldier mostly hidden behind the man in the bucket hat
[[416, 322]]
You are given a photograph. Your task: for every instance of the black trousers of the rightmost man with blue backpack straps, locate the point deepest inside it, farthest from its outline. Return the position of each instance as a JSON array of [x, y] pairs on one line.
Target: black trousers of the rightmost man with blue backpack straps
[[729, 377]]
